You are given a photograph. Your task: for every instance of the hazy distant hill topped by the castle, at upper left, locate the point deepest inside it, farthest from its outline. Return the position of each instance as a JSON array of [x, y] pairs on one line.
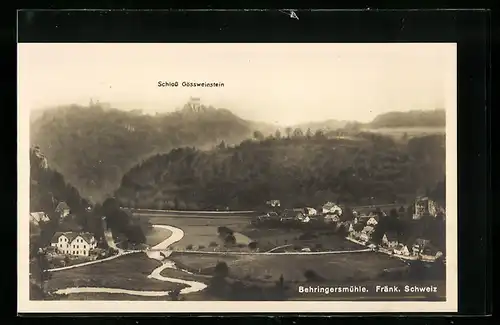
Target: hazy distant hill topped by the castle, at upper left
[[94, 146]]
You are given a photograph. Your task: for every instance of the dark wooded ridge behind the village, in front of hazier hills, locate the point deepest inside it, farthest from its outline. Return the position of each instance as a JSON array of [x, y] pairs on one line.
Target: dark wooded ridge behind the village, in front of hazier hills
[[298, 170]]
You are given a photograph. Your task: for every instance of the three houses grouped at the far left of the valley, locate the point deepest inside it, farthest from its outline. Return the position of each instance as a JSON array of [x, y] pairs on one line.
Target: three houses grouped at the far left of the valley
[[71, 243]]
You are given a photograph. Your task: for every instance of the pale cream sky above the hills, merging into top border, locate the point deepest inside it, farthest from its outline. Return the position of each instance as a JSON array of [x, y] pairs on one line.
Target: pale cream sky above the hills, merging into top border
[[280, 83]]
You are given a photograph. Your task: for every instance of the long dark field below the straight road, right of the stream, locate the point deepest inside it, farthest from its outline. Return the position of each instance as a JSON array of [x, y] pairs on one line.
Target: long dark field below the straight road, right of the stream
[[342, 267]]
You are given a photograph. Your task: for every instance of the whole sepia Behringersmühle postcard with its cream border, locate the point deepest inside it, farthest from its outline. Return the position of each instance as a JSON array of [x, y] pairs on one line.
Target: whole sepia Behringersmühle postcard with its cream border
[[237, 178]]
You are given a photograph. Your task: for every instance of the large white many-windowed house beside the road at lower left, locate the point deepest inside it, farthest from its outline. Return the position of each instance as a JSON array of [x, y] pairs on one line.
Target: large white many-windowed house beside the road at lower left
[[73, 243]]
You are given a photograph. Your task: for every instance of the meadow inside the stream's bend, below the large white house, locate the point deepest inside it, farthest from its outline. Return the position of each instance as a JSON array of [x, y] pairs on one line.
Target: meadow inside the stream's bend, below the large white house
[[127, 272]]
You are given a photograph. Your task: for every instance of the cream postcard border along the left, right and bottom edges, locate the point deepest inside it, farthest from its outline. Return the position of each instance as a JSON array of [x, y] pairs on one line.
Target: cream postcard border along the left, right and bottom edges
[[450, 305]]
